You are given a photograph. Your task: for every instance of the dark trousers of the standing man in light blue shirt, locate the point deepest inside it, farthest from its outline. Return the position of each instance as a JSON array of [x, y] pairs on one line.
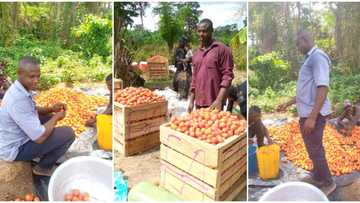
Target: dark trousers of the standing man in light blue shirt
[[315, 148]]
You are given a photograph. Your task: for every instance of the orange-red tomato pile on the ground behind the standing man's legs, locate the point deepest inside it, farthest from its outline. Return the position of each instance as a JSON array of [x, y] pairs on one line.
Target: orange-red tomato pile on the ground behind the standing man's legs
[[342, 153]]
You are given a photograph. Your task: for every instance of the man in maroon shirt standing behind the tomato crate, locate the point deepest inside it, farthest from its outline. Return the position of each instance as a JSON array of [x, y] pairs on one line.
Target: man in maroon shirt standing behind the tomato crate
[[213, 70]]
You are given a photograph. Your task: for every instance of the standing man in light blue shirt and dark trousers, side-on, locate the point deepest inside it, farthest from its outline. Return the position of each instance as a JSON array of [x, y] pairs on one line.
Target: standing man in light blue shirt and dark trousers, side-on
[[313, 107]]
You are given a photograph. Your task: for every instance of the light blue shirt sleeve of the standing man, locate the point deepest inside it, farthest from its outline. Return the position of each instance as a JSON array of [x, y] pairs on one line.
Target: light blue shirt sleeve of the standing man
[[321, 71]]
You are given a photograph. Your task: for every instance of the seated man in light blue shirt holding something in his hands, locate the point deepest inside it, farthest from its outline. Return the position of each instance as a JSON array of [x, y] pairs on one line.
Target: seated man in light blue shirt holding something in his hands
[[28, 131]]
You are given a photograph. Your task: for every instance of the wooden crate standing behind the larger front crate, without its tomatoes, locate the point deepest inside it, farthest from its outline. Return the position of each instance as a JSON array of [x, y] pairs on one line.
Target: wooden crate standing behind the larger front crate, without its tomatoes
[[137, 127]]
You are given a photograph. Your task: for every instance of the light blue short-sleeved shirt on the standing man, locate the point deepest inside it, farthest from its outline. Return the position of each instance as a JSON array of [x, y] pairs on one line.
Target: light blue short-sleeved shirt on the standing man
[[314, 72]]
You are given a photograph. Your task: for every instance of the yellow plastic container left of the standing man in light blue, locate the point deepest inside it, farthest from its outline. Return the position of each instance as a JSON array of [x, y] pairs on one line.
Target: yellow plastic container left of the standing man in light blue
[[268, 158]]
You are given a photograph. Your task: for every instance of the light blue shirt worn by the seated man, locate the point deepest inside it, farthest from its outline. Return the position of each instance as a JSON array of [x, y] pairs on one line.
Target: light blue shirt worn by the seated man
[[19, 121]]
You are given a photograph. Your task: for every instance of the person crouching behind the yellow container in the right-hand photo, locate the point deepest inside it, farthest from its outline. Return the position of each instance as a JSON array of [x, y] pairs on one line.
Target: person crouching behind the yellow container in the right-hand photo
[[257, 128]]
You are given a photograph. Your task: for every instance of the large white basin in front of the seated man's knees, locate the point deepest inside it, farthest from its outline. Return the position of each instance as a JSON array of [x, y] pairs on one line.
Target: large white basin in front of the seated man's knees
[[88, 174]]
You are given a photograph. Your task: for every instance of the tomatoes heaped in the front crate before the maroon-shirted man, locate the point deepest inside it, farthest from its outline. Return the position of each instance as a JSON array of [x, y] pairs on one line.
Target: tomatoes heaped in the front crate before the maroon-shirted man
[[211, 126]]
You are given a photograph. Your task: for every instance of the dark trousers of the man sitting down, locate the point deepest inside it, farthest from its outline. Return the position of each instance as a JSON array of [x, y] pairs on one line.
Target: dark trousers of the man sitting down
[[49, 151]]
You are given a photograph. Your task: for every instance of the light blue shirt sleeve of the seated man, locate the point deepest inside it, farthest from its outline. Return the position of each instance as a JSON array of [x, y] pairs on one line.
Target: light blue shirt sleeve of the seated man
[[27, 119]]
